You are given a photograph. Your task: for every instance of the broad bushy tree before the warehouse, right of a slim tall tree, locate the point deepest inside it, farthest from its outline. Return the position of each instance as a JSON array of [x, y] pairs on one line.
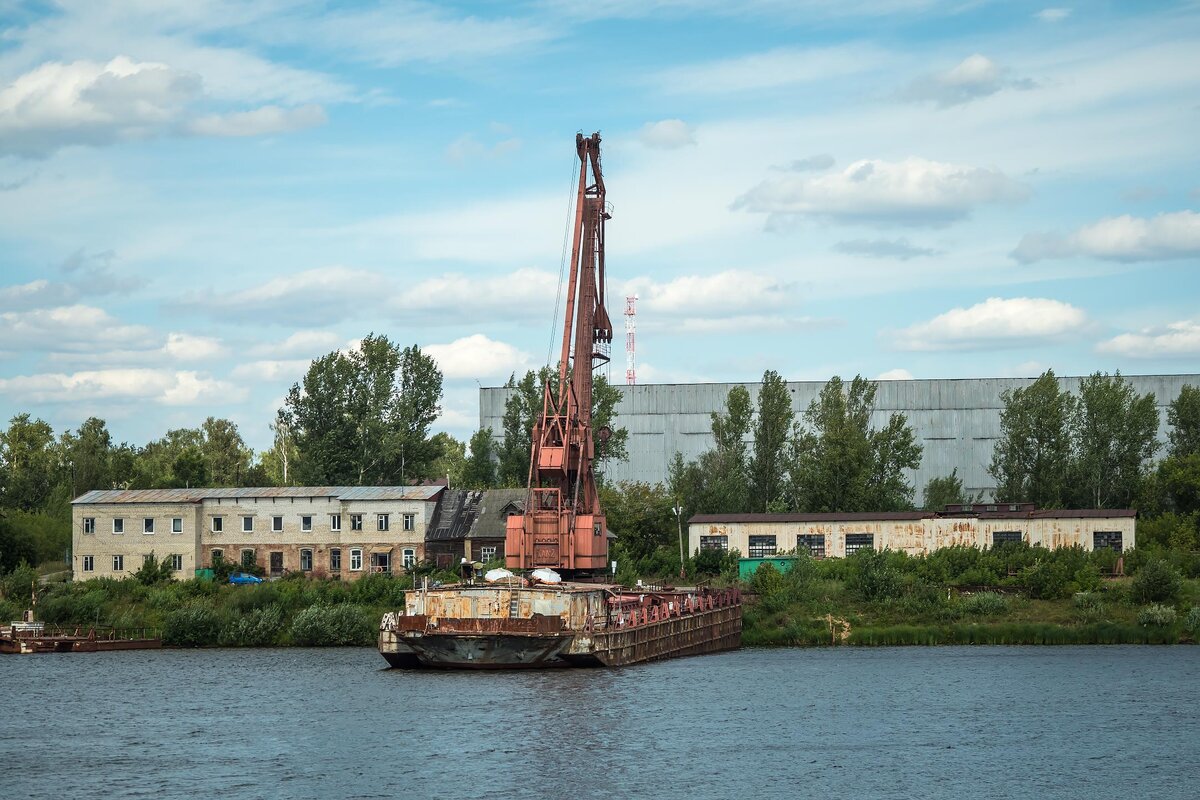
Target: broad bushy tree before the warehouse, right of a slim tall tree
[[841, 464]]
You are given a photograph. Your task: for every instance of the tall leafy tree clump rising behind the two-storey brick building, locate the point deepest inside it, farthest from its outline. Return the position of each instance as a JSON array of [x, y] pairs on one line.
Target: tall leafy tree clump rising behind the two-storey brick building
[[363, 418]]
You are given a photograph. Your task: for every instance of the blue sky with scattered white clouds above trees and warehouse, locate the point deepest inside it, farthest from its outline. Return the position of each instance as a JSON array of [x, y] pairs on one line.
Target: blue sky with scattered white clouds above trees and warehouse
[[200, 197]]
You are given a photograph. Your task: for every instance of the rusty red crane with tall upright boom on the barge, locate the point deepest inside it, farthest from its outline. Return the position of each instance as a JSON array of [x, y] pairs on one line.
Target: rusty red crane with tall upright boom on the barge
[[563, 526]]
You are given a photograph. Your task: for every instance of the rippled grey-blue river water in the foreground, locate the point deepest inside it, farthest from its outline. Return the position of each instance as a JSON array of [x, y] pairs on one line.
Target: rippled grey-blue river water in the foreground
[[909, 723]]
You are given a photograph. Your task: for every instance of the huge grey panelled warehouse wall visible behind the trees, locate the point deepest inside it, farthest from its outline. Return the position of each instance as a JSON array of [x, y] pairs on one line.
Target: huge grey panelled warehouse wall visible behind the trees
[[957, 422]]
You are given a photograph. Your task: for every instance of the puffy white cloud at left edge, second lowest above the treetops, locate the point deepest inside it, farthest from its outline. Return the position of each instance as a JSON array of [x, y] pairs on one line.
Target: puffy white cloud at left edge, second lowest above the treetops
[[71, 328]]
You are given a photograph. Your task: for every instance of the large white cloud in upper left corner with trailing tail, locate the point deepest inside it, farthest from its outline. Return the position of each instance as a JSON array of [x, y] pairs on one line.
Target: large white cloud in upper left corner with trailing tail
[[89, 104]]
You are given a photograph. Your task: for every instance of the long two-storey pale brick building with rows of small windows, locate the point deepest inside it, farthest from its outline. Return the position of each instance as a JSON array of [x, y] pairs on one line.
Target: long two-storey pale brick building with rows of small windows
[[335, 532]]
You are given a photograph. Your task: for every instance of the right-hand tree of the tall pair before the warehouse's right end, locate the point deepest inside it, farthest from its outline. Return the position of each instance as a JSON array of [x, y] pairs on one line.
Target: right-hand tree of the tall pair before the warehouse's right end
[[1114, 436]]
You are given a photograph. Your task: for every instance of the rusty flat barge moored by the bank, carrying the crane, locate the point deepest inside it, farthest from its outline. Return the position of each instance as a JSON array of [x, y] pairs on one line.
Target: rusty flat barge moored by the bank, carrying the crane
[[566, 625]]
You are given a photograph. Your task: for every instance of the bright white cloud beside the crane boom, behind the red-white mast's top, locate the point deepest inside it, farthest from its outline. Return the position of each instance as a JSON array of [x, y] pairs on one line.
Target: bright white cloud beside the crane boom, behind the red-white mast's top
[[723, 294]]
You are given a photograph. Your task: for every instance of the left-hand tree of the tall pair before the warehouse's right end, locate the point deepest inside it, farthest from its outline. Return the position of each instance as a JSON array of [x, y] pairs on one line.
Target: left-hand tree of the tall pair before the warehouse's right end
[[1033, 458]]
